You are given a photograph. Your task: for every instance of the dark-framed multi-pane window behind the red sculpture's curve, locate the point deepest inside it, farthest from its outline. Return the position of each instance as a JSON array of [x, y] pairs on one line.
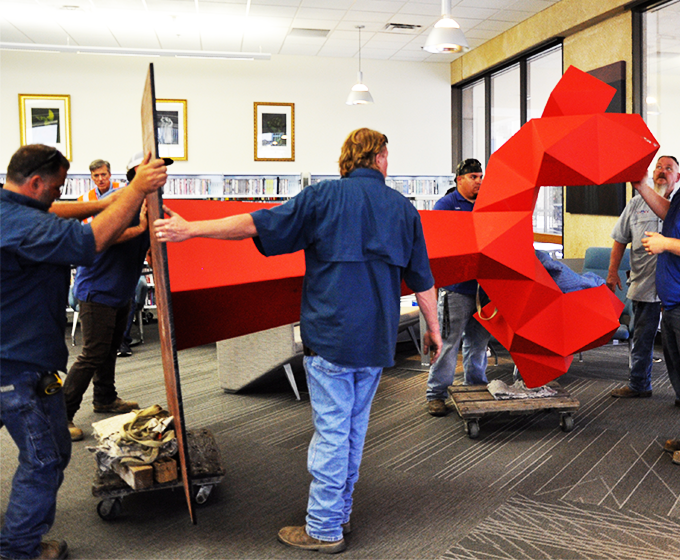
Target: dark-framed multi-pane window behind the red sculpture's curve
[[494, 106]]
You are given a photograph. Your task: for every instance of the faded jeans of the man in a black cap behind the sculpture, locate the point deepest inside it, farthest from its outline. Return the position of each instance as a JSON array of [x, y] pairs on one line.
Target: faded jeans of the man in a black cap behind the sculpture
[[475, 337]]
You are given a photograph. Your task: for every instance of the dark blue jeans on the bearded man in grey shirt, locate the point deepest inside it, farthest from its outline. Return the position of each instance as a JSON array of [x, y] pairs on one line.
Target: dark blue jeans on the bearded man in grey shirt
[[642, 354]]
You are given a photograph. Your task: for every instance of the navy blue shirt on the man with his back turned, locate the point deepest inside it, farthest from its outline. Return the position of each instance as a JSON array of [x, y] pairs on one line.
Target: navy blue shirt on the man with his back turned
[[361, 239]]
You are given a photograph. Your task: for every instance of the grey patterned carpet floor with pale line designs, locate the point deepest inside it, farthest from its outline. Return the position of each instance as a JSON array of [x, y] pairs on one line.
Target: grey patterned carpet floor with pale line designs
[[524, 489]]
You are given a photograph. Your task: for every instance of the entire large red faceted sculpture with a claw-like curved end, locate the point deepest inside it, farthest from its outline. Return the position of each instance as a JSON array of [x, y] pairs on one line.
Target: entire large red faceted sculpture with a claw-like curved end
[[221, 290]]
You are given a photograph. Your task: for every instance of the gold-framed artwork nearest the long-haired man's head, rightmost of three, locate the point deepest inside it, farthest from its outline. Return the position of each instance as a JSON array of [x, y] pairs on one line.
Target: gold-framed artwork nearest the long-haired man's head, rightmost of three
[[274, 131]]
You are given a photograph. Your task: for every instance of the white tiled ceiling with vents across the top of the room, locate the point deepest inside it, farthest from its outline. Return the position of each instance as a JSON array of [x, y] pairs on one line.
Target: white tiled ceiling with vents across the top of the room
[[223, 24]]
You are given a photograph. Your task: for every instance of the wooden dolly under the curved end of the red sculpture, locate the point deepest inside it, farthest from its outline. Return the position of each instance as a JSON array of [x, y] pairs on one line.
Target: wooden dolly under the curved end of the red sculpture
[[473, 402]]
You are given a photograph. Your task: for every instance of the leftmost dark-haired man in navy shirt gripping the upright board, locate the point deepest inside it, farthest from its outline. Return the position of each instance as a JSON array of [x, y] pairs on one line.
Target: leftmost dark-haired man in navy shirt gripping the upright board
[[37, 249]]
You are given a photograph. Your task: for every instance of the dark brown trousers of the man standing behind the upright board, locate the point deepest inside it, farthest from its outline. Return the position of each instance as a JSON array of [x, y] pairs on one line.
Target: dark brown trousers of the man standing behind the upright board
[[103, 327]]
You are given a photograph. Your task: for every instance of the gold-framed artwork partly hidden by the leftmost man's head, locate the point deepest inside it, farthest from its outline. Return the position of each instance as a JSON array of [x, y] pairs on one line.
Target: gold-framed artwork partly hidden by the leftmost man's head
[[46, 119]]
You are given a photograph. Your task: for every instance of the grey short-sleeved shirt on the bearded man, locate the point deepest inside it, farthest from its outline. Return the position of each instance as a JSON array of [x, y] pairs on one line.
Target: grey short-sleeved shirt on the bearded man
[[636, 219]]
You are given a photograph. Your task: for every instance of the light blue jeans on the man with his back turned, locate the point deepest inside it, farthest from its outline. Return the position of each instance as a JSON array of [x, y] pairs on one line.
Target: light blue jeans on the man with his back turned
[[341, 400]]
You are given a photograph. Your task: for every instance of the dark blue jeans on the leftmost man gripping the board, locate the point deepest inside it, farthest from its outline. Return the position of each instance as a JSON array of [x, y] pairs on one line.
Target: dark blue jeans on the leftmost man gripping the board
[[39, 429]]
